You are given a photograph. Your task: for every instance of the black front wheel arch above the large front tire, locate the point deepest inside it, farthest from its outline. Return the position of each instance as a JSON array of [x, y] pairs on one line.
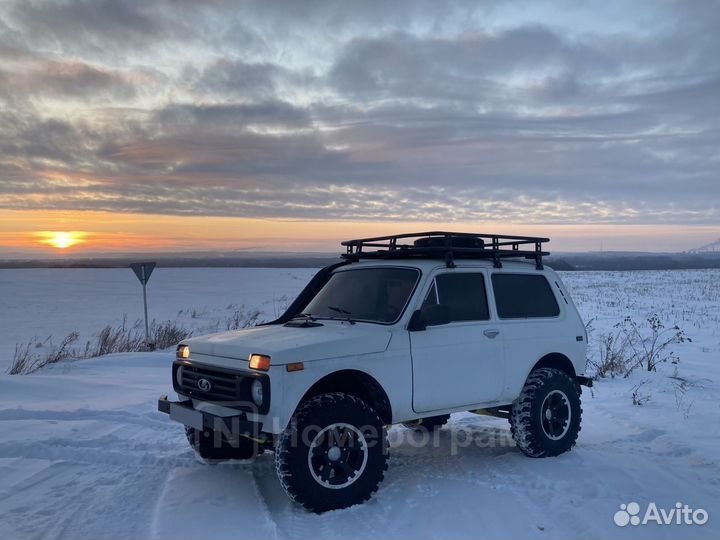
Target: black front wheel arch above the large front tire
[[357, 383]]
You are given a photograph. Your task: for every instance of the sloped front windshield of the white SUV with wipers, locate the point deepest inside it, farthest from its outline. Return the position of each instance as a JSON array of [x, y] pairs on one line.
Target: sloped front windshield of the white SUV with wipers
[[364, 294]]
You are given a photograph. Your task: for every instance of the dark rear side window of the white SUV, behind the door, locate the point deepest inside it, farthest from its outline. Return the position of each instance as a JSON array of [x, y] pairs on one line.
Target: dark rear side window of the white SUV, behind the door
[[523, 296]]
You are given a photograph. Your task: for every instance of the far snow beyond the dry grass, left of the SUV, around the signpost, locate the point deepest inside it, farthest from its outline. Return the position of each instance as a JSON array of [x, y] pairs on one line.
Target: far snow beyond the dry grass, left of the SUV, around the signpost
[[38, 303]]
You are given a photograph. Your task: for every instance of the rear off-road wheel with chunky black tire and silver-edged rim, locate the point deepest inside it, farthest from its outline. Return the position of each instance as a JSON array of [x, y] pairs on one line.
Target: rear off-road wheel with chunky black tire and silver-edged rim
[[528, 424]]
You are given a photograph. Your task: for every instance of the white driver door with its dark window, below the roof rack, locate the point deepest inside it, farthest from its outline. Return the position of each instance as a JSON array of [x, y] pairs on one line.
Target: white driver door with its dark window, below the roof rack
[[461, 362]]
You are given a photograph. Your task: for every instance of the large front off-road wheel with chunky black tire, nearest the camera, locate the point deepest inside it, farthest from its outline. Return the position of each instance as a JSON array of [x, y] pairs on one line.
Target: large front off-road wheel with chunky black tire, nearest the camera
[[302, 455]]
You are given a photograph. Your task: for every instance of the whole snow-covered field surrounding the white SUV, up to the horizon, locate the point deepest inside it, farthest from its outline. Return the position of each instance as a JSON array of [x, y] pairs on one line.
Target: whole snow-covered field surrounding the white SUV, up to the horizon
[[84, 454]]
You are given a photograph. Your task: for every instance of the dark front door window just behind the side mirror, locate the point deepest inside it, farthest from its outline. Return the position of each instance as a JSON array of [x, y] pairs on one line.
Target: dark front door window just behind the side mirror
[[464, 295]]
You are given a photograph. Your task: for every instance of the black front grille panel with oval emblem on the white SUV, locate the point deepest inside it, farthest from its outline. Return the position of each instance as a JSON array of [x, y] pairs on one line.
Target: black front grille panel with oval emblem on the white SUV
[[229, 387]]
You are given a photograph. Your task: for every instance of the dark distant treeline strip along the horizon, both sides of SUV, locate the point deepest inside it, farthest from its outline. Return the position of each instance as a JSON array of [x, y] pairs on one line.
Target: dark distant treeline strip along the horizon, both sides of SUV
[[561, 261]]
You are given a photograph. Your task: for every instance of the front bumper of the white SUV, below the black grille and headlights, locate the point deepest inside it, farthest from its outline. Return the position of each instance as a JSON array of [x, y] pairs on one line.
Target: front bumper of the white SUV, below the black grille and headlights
[[184, 413]]
